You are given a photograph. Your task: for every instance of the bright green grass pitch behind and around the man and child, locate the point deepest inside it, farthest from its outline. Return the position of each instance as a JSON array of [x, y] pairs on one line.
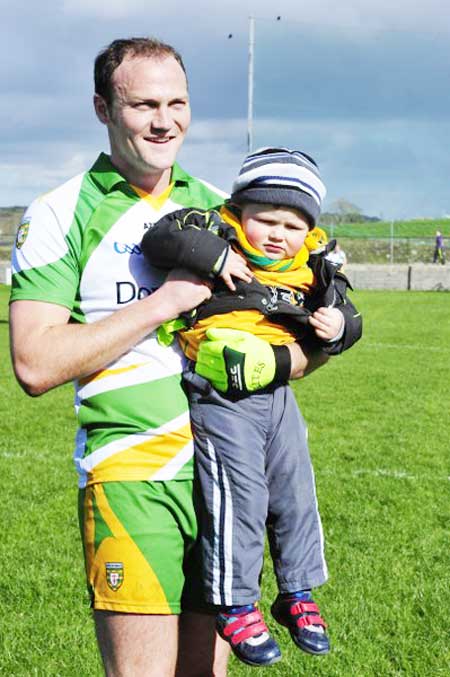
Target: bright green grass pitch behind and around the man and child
[[379, 436]]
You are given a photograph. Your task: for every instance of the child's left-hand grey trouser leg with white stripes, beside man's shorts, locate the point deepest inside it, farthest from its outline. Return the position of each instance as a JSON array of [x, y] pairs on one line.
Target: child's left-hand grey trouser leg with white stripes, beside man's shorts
[[229, 442]]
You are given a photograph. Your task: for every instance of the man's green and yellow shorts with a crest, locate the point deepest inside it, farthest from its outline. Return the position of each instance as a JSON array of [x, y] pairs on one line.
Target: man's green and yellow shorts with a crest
[[137, 538]]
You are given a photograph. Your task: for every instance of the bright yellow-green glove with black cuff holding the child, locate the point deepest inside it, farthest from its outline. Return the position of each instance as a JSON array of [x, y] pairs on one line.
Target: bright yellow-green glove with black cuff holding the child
[[237, 363]]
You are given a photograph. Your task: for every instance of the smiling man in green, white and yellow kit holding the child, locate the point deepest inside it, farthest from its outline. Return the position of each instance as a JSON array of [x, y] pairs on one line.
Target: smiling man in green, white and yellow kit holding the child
[[85, 307]]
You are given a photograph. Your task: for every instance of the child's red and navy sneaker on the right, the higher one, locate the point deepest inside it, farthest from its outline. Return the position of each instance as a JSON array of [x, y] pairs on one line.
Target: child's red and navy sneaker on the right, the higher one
[[300, 614]]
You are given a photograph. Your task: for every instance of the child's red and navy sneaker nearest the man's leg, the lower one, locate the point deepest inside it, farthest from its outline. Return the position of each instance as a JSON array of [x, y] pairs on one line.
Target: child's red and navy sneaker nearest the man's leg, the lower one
[[244, 629]]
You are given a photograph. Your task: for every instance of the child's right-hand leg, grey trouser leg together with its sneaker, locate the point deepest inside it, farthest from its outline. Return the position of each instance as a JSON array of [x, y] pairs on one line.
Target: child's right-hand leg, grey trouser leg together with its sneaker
[[294, 527]]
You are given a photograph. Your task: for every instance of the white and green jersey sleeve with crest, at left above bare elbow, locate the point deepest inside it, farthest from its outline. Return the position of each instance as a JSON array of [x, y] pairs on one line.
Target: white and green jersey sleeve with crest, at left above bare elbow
[[44, 258]]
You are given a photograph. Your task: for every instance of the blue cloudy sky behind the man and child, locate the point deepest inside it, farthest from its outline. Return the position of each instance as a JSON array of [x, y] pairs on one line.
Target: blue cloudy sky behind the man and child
[[362, 86]]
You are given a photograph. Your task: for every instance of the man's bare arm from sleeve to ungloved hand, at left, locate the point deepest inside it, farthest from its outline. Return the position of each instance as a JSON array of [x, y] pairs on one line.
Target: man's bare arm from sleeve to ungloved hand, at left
[[48, 351]]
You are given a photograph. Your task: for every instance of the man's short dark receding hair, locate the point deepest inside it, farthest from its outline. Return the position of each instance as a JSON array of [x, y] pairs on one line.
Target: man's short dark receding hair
[[112, 56]]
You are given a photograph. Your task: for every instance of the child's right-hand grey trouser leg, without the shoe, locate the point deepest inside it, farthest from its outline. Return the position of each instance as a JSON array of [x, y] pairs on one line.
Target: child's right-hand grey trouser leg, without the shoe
[[294, 526]]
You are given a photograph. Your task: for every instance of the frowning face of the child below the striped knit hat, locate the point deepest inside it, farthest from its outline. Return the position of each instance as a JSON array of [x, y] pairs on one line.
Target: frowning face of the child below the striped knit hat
[[277, 232]]
